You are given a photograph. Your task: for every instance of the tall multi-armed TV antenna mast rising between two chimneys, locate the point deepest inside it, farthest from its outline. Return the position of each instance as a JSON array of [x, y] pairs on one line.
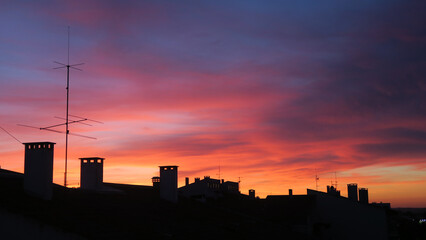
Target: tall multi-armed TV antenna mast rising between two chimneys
[[68, 121]]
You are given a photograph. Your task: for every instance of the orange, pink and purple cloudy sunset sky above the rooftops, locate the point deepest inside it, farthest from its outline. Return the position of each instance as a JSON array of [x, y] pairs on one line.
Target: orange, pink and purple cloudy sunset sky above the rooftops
[[273, 92]]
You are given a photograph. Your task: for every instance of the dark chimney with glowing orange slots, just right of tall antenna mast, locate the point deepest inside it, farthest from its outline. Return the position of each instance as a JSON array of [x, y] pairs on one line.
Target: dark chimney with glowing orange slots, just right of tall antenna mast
[[91, 173]]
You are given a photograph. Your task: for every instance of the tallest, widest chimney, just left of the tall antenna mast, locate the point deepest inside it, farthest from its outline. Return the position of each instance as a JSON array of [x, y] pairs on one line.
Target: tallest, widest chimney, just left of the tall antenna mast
[[38, 169]]
